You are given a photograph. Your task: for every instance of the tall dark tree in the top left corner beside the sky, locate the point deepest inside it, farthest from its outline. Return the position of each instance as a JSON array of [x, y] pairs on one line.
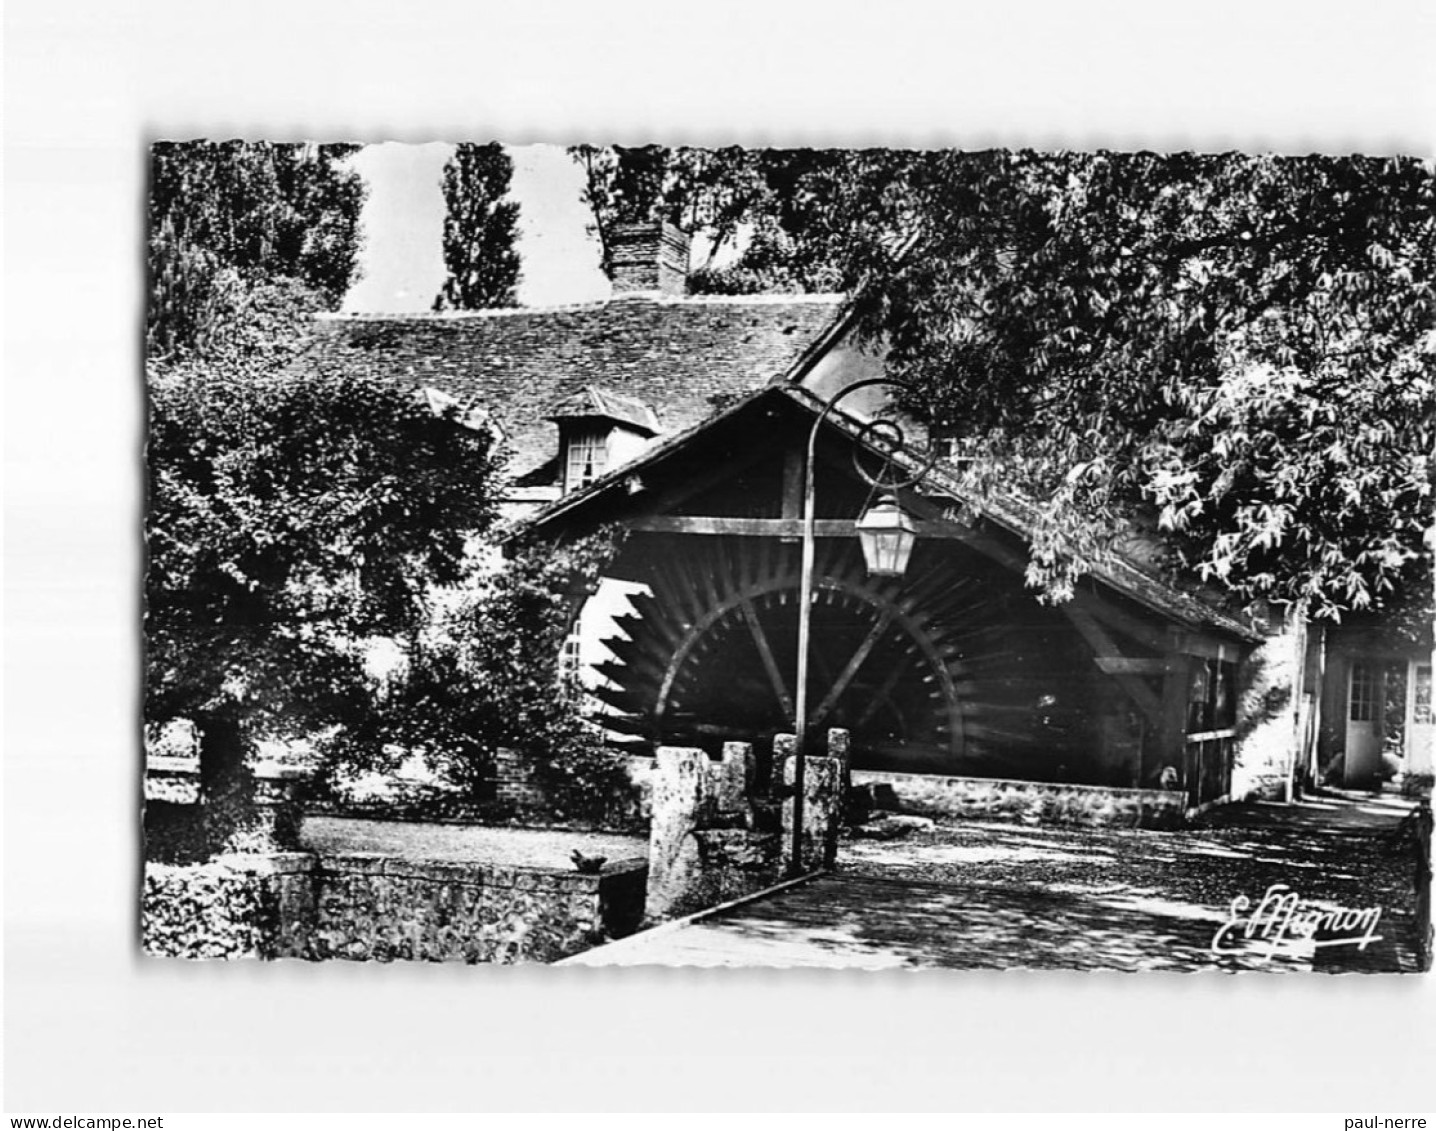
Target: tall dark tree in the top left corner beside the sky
[[233, 216]]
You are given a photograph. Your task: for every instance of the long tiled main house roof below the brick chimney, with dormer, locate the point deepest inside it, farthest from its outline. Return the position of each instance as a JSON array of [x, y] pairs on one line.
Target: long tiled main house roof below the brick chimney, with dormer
[[684, 358]]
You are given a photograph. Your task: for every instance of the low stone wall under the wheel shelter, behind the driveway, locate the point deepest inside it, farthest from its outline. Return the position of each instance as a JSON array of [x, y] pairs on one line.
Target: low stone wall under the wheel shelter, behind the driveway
[[1030, 803]]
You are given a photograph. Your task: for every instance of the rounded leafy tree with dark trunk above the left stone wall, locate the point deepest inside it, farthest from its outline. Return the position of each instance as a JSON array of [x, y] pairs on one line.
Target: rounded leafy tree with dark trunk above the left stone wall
[[292, 520]]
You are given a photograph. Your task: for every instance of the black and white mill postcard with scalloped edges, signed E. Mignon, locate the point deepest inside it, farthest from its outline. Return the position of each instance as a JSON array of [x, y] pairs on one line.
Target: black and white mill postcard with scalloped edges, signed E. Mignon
[[857, 559]]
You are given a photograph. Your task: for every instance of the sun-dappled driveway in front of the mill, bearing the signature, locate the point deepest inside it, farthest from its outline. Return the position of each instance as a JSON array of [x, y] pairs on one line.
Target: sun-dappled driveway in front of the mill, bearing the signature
[[1004, 896]]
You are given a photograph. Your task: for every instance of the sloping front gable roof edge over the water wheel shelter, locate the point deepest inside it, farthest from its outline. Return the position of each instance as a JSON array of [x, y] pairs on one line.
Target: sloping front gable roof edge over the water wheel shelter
[[940, 482]]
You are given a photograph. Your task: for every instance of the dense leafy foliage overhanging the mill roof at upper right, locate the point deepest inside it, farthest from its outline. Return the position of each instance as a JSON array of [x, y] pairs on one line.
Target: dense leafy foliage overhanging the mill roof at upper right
[[1234, 349]]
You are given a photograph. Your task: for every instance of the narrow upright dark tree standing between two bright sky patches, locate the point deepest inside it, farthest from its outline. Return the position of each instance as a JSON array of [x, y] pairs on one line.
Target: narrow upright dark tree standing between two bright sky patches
[[479, 230]]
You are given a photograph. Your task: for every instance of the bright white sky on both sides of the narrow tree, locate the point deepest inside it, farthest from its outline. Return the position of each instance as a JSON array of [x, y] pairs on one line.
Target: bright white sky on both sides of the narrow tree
[[403, 262]]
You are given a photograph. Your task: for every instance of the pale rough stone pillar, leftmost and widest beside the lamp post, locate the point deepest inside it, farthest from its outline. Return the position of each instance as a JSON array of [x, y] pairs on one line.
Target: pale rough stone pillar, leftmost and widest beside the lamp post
[[681, 800]]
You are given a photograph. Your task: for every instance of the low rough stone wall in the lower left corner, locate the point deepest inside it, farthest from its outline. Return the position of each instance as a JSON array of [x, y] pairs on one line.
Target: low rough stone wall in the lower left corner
[[360, 906]]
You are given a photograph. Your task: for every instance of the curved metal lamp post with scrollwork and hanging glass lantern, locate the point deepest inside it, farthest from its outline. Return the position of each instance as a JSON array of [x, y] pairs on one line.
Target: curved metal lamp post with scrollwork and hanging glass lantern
[[887, 535]]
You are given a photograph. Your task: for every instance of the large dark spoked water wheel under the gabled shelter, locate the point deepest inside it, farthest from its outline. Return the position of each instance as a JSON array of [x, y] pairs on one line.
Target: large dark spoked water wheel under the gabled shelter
[[710, 652]]
